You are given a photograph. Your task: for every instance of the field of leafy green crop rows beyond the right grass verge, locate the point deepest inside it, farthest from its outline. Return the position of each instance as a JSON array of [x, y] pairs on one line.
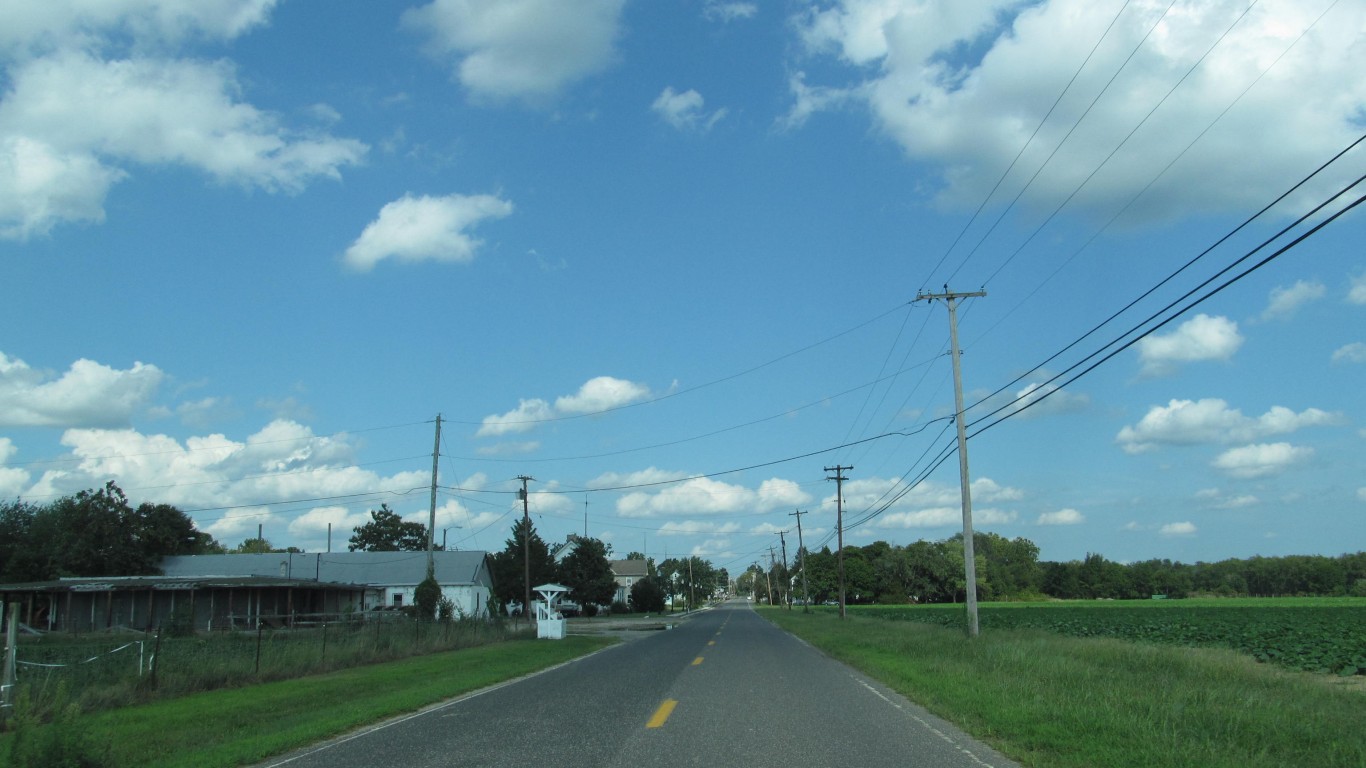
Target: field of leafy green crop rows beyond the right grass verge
[[1312, 635]]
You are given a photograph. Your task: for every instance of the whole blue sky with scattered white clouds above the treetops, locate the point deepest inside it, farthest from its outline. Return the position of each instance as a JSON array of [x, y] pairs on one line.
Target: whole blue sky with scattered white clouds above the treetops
[[663, 258]]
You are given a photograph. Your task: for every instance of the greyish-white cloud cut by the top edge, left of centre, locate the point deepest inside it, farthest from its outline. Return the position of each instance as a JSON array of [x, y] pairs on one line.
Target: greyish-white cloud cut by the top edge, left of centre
[[520, 49]]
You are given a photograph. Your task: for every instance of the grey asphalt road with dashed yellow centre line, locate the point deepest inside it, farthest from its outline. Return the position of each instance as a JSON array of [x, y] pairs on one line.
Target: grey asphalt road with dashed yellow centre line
[[723, 688]]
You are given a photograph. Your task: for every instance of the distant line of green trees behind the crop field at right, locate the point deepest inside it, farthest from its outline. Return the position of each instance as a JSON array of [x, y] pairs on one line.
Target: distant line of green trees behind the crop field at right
[[1009, 569]]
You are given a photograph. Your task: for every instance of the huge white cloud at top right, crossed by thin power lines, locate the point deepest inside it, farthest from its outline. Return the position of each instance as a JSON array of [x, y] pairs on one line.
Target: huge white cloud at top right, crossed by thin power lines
[[964, 85]]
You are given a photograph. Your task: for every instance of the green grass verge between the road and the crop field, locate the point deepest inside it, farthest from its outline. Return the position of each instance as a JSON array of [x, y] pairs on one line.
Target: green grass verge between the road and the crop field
[[1055, 702]]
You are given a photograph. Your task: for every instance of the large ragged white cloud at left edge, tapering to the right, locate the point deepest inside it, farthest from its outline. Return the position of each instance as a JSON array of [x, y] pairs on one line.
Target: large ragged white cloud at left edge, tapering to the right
[[72, 124]]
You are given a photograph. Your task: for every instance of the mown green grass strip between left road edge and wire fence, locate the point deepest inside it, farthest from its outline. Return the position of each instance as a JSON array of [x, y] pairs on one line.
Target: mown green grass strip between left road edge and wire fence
[[248, 725]]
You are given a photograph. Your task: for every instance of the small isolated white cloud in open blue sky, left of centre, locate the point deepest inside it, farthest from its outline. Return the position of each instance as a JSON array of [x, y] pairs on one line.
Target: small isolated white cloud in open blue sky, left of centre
[[426, 229]]
